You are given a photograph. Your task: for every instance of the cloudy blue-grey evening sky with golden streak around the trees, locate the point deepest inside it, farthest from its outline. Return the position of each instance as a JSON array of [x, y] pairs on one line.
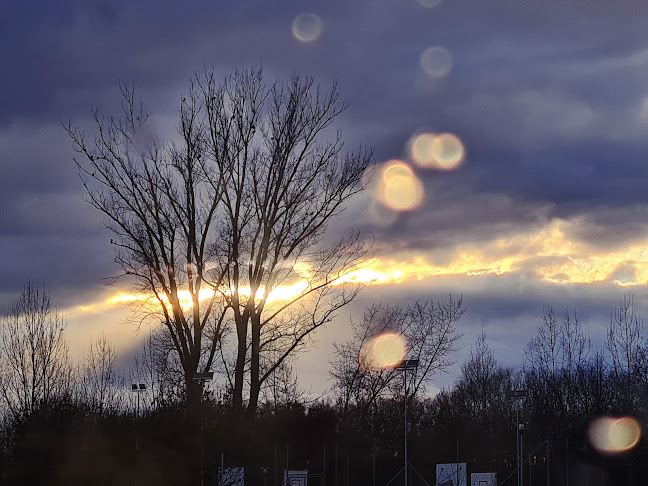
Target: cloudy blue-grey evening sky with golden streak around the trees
[[548, 102]]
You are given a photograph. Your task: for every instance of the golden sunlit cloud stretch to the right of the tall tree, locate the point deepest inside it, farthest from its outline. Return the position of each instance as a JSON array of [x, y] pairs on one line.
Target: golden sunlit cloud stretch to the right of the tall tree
[[546, 254]]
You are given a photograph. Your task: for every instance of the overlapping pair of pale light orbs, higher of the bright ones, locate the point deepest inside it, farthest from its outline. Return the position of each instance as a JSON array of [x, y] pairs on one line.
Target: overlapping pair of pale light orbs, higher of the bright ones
[[444, 151]]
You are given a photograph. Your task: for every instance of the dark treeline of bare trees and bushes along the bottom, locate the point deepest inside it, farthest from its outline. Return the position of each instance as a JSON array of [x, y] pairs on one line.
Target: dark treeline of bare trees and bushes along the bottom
[[81, 424]]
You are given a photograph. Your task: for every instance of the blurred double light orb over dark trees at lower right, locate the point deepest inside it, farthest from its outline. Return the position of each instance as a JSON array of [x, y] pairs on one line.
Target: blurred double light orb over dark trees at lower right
[[610, 435]]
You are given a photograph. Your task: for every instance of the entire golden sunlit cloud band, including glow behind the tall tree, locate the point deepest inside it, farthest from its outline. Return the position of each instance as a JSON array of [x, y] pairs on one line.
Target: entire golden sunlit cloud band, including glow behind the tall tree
[[545, 255]]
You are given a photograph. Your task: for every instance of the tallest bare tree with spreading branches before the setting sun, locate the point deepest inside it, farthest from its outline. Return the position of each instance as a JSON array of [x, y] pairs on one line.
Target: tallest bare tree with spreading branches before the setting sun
[[232, 210]]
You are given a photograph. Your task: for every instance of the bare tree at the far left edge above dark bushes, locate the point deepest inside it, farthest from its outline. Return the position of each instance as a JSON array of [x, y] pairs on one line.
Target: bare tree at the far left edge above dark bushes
[[34, 363]]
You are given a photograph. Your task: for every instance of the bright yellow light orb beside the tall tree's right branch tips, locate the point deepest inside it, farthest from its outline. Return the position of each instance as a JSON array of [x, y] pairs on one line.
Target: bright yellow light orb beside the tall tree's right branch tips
[[400, 189]]
